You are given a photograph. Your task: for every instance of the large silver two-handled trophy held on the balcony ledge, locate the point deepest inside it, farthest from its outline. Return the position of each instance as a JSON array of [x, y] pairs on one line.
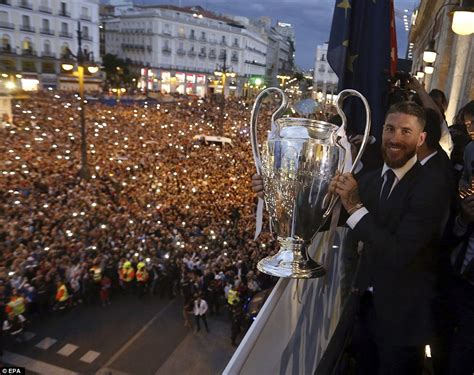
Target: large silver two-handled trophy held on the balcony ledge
[[297, 163]]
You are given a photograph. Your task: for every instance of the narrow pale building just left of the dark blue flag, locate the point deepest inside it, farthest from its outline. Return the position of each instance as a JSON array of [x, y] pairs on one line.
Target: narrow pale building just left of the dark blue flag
[[325, 80]]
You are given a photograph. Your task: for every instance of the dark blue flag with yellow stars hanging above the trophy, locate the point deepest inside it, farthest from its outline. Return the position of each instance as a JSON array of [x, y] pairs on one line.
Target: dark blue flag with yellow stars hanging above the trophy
[[362, 52]]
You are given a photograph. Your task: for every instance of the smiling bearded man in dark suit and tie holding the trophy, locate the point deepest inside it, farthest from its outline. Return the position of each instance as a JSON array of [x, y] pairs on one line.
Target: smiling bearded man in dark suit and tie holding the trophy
[[397, 214]]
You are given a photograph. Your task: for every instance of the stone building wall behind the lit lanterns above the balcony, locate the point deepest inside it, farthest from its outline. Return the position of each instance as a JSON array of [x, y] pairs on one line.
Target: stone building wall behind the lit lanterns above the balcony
[[454, 65]]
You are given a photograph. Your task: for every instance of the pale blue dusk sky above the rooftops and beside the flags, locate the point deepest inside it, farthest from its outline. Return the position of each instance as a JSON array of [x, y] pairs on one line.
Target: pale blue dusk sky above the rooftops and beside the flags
[[310, 18]]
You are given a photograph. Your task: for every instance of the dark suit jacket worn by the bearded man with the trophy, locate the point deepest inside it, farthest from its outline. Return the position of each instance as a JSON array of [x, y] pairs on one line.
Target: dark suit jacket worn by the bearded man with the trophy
[[400, 253]]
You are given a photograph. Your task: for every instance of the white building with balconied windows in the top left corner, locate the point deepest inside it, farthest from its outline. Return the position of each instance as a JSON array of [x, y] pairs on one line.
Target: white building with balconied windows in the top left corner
[[35, 36]]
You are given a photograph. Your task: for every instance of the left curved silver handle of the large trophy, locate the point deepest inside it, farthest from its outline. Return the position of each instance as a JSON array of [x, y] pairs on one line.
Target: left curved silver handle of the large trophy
[[254, 120]]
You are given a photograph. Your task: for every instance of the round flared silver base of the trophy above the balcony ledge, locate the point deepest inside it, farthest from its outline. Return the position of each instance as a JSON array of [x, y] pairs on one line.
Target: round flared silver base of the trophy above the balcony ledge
[[292, 263]]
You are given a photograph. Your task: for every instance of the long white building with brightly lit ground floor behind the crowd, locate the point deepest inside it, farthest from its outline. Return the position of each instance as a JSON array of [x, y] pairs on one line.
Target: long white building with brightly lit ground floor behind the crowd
[[178, 49]]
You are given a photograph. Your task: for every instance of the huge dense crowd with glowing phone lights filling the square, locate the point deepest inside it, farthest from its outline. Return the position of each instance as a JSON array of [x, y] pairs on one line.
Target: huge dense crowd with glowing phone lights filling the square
[[162, 212]]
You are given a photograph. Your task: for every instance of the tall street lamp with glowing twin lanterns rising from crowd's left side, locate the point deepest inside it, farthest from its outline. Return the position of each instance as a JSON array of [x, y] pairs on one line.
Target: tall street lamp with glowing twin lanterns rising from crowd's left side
[[83, 60]]
